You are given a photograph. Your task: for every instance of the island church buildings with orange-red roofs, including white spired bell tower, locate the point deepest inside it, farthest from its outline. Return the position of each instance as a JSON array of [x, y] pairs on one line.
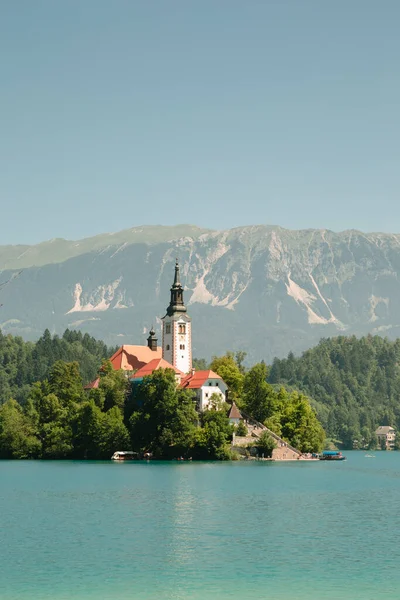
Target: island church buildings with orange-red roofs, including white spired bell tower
[[175, 353]]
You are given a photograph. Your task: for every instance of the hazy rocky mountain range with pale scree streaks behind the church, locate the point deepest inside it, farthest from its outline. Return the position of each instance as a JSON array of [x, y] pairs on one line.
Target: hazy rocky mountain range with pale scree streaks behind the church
[[262, 289]]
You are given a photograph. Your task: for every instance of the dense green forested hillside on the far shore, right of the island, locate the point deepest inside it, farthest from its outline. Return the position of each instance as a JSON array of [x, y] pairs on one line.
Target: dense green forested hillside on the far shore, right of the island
[[354, 385]]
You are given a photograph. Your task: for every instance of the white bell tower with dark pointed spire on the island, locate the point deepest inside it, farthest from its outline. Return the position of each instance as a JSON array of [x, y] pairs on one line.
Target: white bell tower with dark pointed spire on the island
[[177, 329]]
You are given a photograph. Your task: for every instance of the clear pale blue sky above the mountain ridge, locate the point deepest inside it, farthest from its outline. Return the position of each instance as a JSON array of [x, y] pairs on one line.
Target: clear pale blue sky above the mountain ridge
[[116, 113]]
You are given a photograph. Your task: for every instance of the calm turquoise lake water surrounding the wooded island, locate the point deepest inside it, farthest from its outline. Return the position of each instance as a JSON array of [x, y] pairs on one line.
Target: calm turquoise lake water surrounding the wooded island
[[194, 531]]
